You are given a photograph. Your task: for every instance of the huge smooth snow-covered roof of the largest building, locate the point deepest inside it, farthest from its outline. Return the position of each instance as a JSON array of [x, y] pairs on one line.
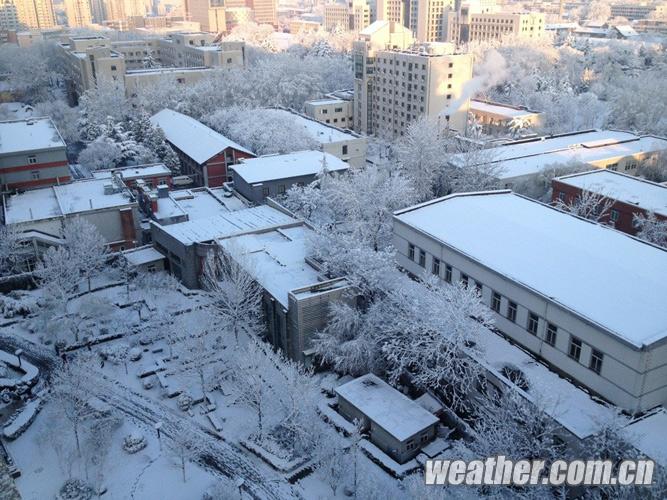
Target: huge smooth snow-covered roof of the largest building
[[559, 256]]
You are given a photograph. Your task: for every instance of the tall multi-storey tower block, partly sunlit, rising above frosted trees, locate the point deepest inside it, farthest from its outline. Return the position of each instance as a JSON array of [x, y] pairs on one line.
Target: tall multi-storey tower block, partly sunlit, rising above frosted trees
[[396, 84]]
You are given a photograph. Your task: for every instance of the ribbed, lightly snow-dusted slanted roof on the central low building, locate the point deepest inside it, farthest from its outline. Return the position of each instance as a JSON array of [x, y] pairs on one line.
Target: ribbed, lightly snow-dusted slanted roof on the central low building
[[220, 226]]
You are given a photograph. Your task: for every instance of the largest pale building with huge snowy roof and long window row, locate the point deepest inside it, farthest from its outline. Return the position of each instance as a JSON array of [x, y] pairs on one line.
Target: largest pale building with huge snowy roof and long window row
[[585, 298]]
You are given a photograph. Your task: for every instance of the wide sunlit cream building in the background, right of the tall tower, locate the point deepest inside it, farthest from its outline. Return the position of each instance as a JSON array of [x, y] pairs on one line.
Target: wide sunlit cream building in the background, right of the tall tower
[[471, 26]]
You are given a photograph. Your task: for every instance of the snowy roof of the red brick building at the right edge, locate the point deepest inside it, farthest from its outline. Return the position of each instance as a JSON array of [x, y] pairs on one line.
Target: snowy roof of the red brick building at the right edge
[[626, 188]]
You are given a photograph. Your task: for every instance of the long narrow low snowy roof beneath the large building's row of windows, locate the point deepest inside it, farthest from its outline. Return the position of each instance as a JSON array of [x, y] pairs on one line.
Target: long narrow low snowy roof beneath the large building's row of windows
[[566, 403]]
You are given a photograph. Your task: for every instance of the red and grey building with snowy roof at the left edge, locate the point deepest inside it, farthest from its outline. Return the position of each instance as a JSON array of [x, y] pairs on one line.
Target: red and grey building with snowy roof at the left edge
[[32, 154]]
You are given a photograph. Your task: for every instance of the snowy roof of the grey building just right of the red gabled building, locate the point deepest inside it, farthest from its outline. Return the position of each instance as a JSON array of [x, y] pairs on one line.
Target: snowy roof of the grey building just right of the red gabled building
[[273, 167]]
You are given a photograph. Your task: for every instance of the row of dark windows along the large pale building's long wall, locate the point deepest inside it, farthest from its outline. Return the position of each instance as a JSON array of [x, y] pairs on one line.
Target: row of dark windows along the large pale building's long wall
[[418, 255]]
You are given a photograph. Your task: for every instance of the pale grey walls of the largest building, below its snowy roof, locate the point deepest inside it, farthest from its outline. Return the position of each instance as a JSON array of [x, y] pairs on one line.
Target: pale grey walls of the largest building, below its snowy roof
[[632, 378]]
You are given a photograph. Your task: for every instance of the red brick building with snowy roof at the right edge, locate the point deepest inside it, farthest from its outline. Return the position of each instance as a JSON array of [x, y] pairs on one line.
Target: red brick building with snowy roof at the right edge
[[630, 195]]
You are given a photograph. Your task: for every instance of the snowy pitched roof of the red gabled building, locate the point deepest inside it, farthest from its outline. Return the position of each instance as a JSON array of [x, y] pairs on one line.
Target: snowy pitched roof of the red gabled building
[[195, 139]]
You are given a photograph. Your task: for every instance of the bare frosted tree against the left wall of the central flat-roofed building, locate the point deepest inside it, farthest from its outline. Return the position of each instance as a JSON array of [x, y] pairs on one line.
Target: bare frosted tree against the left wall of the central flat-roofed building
[[236, 295]]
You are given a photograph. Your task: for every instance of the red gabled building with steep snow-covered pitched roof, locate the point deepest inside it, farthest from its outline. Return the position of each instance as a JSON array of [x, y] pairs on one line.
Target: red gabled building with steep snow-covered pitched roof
[[204, 153]]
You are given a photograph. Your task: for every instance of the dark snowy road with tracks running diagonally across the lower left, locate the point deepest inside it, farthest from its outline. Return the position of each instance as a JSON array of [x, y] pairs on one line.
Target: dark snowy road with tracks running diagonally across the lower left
[[259, 481]]
